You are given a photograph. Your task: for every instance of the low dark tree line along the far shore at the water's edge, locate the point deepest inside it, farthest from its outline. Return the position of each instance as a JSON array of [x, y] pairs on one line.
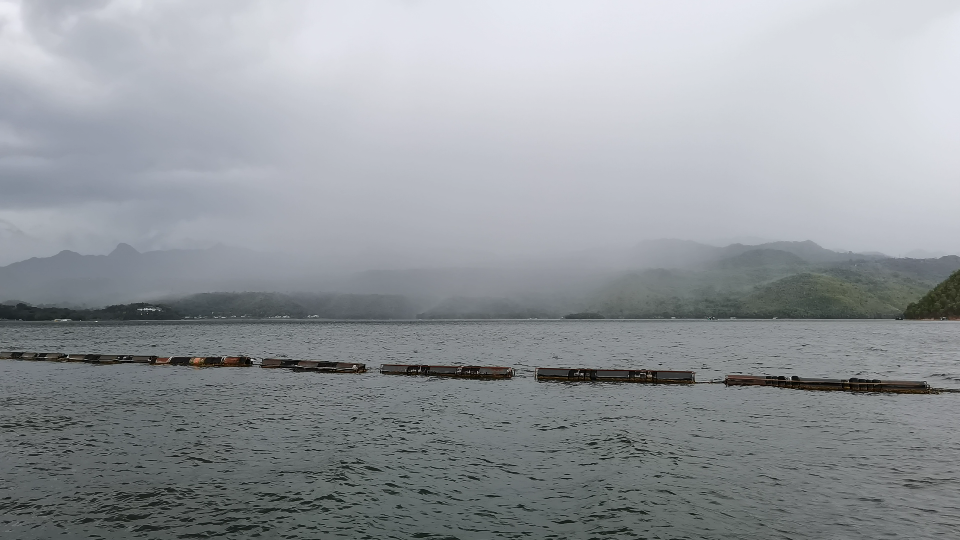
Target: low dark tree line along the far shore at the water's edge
[[804, 296]]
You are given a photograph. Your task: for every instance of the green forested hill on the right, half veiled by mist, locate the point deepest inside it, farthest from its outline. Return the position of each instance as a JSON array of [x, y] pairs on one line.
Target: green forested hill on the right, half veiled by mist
[[770, 283]]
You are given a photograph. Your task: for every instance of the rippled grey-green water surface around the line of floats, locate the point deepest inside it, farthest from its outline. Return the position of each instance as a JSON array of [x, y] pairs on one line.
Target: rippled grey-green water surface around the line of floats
[[133, 451]]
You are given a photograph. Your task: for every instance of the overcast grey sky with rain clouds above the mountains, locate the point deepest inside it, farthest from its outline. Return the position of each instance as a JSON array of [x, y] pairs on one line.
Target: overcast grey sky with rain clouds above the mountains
[[453, 131]]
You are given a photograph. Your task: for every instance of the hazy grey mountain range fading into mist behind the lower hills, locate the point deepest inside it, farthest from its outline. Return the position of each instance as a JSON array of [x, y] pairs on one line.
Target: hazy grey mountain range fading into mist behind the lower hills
[[126, 275]]
